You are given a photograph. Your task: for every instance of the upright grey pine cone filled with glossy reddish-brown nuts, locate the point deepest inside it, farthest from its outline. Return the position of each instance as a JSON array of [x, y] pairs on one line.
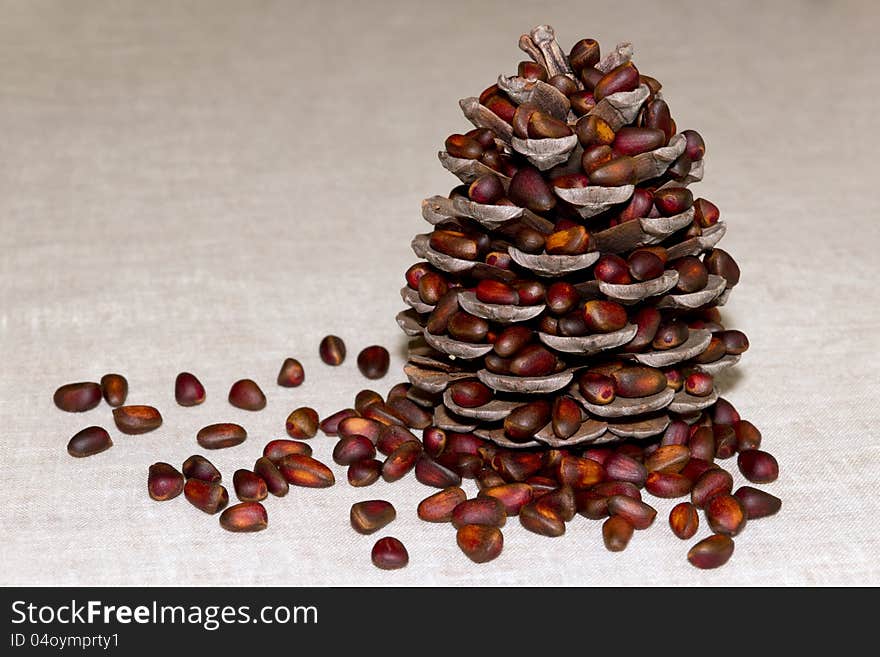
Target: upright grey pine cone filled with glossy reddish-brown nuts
[[568, 292]]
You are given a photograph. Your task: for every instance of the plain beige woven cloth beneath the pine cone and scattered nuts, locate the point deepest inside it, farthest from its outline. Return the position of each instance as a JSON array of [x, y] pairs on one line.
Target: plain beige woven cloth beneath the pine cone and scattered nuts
[[214, 186]]
